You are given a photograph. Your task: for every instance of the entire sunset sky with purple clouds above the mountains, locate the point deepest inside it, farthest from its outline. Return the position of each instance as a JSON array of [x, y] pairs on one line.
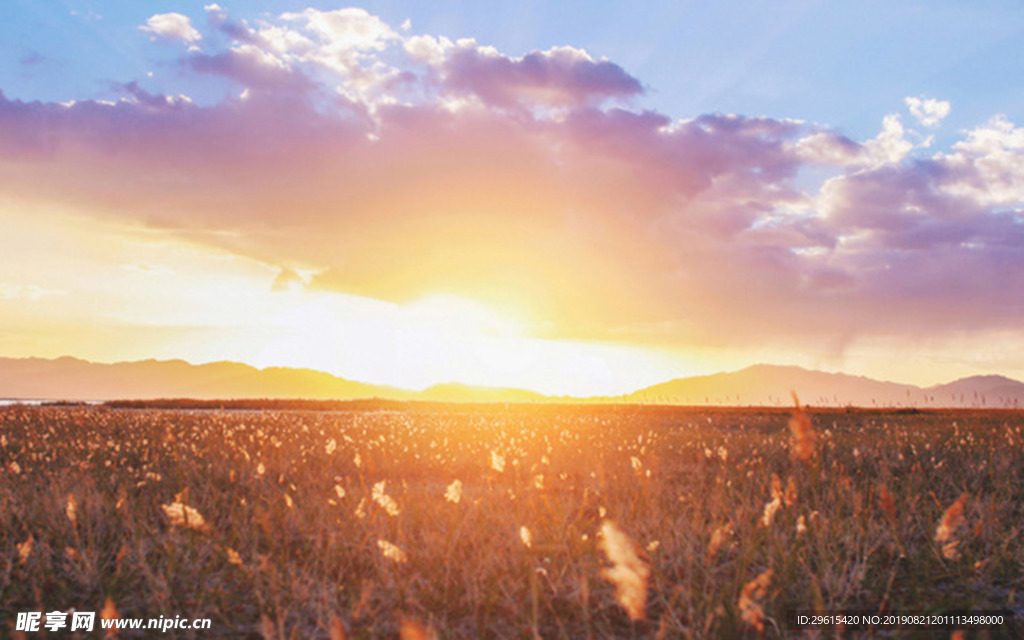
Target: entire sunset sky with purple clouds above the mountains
[[574, 198]]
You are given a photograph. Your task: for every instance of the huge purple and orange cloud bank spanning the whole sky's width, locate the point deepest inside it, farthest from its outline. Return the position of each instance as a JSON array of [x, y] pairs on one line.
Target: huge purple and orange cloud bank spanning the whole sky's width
[[397, 165]]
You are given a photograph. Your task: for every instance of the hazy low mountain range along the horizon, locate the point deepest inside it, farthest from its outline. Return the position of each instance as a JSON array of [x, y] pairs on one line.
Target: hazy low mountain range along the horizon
[[69, 378]]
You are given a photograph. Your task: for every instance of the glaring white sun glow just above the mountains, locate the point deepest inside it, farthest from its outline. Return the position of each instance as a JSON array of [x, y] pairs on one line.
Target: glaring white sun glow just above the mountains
[[441, 338]]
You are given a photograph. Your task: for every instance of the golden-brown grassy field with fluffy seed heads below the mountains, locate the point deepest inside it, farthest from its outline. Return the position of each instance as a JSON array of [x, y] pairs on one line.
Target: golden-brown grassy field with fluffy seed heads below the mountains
[[496, 522]]
